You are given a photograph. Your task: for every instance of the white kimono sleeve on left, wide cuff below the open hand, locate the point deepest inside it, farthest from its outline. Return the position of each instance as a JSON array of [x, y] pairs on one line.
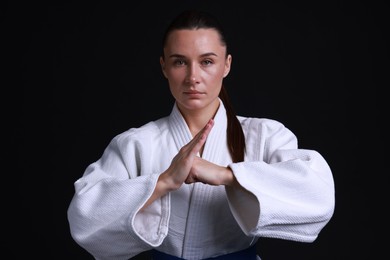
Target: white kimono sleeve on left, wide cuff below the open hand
[[104, 213]]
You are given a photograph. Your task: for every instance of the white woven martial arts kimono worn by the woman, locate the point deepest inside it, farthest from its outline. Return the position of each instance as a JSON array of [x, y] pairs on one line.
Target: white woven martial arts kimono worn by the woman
[[289, 193]]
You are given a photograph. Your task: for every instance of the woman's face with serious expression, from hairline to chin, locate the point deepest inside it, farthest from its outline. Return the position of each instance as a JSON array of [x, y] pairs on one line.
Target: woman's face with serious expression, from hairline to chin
[[195, 64]]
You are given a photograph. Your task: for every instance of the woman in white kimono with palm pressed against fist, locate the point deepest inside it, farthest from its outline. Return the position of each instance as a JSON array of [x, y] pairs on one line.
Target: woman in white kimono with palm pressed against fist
[[201, 182]]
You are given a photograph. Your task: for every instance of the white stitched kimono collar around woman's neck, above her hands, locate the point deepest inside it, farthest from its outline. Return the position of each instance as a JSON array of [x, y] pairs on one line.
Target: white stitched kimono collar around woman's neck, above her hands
[[216, 143]]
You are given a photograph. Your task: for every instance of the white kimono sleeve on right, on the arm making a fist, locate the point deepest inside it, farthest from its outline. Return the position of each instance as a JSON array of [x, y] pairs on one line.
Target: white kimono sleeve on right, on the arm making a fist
[[284, 192]]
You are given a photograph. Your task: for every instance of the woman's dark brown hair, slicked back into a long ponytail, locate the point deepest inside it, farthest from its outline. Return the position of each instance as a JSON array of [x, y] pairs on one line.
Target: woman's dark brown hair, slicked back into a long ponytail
[[194, 19]]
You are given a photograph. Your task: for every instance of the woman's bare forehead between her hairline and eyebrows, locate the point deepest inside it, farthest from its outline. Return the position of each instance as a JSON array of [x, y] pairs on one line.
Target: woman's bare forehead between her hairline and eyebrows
[[196, 40]]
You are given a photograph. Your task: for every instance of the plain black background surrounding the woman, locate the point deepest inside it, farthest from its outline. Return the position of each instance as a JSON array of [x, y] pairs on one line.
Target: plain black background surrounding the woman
[[82, 72]]
